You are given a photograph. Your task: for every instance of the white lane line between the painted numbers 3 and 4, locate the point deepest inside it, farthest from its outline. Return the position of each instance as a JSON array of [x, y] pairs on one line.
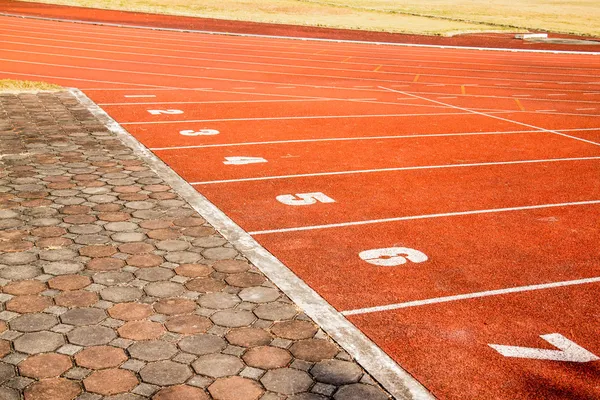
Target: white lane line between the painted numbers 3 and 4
[[202, 146]]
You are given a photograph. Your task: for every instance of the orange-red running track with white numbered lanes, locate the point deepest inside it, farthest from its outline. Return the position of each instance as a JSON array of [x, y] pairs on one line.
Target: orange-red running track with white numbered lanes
[[446, 201]]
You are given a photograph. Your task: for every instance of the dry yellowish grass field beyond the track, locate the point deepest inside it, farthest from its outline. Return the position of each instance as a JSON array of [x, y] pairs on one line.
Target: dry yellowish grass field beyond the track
[[439, 17]]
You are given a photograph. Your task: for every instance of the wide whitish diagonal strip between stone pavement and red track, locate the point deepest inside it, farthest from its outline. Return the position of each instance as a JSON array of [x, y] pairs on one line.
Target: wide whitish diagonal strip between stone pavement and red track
[[387, 372]]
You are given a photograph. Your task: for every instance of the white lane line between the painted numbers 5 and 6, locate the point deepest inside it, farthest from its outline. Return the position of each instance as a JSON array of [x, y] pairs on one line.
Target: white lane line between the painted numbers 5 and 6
[[427, 216]]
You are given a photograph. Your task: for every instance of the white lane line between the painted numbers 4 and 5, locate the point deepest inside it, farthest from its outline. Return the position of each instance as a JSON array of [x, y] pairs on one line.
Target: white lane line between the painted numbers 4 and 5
[[413, 168]]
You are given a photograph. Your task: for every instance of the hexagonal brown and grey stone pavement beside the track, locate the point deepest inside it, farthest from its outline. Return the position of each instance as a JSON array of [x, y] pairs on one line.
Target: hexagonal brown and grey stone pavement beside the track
[[114, 288]]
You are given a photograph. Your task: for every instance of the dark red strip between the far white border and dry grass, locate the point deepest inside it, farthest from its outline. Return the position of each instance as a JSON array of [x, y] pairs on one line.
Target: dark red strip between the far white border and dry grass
[[218, 25]]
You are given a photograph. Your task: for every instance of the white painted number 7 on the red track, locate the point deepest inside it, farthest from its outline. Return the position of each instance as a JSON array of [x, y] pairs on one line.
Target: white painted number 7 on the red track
[[569, 351]]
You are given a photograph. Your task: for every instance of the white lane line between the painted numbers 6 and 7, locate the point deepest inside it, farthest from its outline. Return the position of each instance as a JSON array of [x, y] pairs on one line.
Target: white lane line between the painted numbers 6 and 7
[[487, 293]]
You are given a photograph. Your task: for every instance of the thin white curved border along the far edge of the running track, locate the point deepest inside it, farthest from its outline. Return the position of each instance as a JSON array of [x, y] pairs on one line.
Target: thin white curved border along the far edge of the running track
[[155, 28]]
